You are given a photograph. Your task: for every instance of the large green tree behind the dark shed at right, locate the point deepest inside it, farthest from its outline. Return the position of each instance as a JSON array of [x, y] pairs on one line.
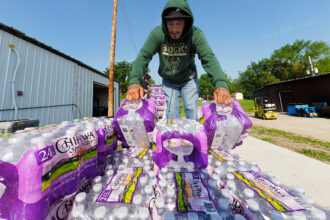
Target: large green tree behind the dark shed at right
[[288, 62]]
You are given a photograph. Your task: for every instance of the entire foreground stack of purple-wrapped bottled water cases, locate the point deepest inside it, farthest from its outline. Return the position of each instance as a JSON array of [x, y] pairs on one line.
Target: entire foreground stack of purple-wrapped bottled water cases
[[75, 171]]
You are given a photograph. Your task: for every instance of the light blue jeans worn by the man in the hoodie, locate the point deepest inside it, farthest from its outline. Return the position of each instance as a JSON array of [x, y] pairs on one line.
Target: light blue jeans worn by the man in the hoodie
[[189, 92]]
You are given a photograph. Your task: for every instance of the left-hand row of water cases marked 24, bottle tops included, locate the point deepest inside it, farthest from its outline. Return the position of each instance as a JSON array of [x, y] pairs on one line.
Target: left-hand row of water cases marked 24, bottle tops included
[[42, 169]]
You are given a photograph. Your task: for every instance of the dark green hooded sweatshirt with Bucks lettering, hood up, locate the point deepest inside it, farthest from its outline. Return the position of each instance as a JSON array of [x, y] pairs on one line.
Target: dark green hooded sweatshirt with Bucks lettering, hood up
[[176, 57]]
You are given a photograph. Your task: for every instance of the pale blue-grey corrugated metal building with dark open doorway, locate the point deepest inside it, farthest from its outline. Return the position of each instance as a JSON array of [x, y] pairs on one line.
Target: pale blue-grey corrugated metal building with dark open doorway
[[39, 82]]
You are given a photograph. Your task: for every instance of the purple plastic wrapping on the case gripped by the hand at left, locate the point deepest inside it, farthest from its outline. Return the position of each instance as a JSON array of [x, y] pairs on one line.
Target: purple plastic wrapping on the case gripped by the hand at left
[[146, 112]]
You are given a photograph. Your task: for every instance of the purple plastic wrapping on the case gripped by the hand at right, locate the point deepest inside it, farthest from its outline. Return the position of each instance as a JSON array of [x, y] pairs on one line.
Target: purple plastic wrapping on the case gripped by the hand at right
[[211, 119]]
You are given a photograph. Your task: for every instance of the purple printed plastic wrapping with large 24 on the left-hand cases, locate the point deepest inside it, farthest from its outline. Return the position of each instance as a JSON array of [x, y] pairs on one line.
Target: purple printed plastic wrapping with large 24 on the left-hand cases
[[47, 173]]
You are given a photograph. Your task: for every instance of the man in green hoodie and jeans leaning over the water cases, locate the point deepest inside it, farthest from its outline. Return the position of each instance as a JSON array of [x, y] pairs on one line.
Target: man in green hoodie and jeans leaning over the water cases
[[177, 41]]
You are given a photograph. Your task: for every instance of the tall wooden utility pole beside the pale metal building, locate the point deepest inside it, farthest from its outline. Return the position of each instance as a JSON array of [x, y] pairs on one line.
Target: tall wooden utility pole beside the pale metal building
[[112, 58]]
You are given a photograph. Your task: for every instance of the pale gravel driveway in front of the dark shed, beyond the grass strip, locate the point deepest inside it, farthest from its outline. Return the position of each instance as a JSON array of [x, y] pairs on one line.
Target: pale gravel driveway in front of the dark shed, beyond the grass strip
[[316, 128]]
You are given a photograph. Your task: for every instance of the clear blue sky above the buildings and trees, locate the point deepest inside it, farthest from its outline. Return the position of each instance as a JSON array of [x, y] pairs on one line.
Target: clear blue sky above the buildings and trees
[[239, 31]]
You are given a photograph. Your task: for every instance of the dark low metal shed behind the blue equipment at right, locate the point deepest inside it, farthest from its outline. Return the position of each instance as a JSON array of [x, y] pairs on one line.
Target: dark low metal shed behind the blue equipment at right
[[308, 90]]
